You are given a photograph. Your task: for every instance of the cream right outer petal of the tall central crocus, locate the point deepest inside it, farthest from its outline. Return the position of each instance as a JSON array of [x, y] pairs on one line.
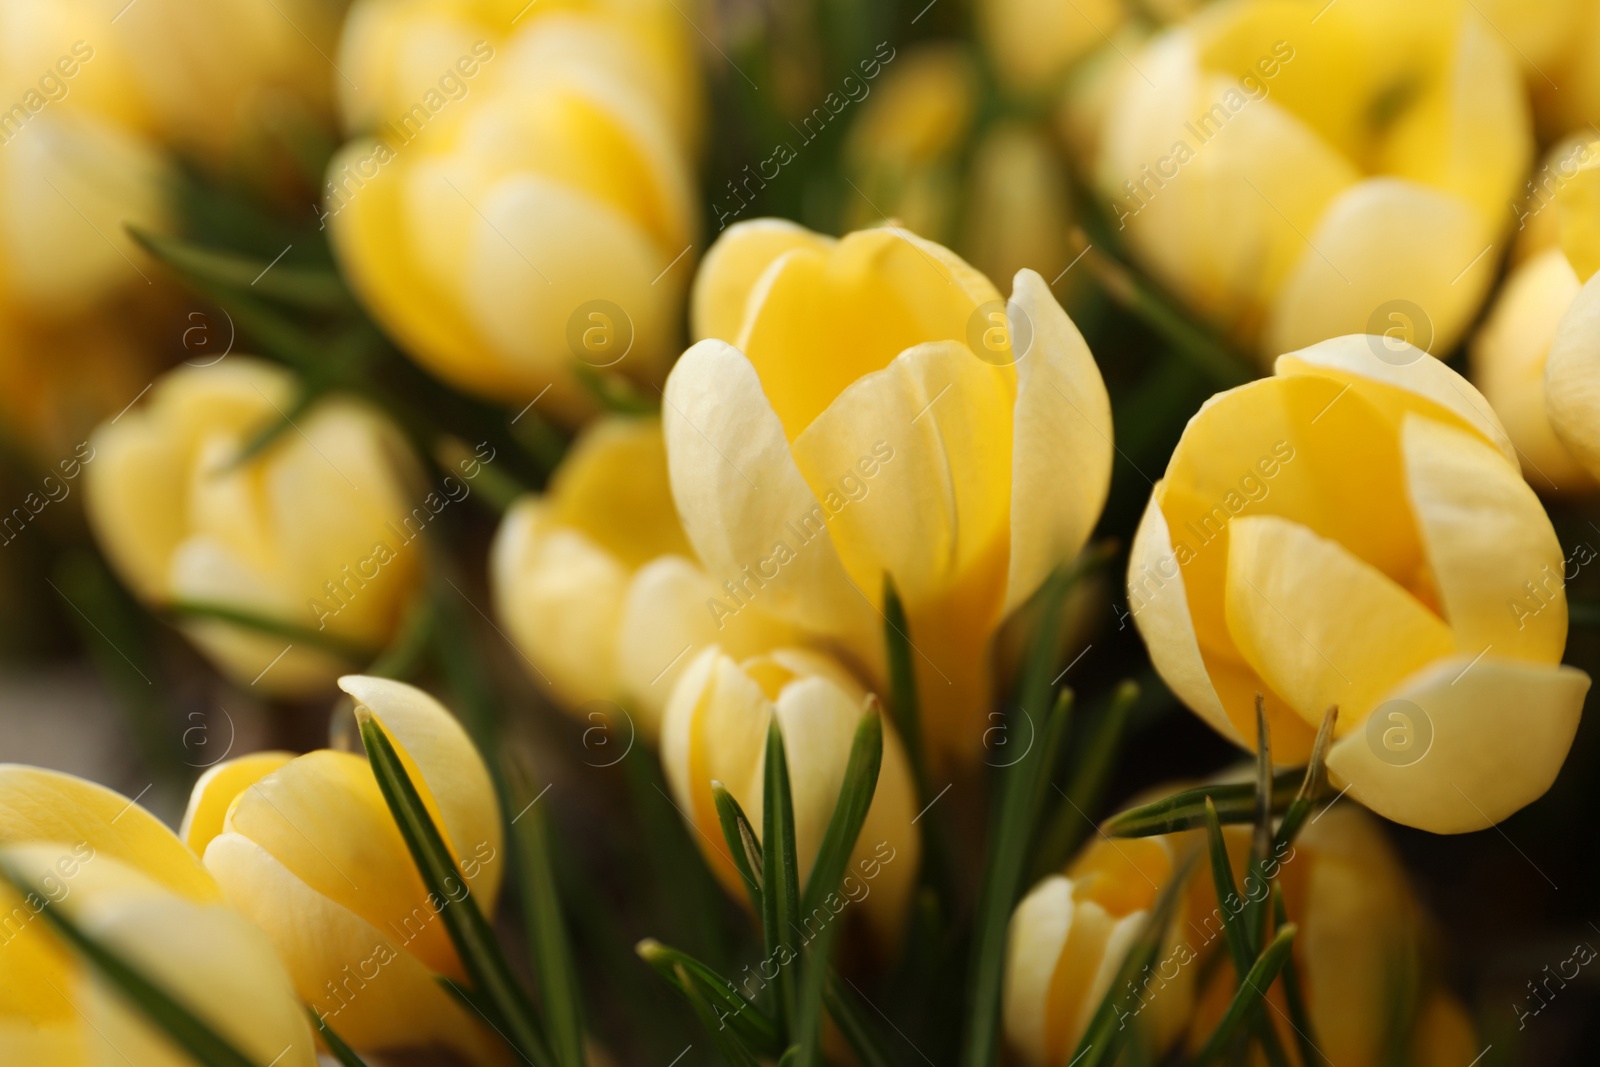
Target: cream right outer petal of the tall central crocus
[[1062, 441]]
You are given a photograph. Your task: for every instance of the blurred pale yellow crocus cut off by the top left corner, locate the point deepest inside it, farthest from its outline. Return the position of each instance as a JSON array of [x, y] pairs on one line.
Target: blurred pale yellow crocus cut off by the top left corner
[[76, 166]]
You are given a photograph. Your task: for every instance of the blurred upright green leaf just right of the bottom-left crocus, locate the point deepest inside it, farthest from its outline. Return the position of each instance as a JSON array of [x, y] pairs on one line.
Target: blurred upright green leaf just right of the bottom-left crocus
[[548, 943]]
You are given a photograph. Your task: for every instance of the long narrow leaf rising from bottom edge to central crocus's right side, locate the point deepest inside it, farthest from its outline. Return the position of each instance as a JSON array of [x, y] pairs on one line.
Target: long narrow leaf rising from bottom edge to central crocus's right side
[[1018, 794]]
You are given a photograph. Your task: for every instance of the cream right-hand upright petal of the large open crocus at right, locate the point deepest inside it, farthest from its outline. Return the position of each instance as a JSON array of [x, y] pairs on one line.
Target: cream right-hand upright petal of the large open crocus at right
[[1495, 559]]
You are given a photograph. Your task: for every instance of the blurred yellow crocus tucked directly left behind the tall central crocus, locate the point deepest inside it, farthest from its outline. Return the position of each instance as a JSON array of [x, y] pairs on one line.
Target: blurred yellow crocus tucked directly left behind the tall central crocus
[[599, 588]]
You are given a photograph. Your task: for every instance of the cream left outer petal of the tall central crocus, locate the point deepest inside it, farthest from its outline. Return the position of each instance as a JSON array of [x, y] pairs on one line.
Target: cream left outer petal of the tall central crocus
[[742, 495]]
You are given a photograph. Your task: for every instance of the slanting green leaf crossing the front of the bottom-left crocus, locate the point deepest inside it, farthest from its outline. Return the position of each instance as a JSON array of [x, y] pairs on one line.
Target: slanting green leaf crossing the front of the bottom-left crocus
[[470, 930]]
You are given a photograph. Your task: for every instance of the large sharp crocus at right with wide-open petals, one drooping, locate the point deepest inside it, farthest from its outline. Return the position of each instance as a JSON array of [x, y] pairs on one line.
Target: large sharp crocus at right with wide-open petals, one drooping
[[1354, 532]]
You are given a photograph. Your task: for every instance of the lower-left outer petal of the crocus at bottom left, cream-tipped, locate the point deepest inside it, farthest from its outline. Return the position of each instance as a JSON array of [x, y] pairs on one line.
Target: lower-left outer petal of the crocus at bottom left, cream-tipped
[[362, 978]]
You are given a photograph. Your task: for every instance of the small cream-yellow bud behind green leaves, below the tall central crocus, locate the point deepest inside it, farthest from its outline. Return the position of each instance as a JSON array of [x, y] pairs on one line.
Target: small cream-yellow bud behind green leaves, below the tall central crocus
[[716, 732]]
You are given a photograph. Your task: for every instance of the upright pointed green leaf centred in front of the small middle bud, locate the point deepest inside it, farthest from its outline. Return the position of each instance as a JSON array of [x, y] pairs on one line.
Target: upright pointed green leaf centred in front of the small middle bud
[[780, 876]]
